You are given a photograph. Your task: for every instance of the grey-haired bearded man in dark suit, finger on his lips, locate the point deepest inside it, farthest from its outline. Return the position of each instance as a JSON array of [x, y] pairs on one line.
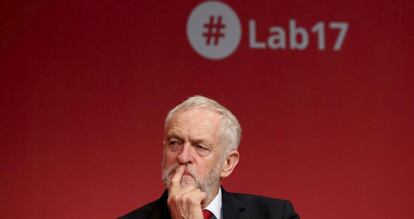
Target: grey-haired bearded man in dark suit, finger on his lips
[[200, 149]]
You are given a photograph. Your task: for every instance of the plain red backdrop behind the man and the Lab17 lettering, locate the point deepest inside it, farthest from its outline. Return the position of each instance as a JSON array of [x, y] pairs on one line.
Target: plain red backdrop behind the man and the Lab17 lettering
[[85, 86]]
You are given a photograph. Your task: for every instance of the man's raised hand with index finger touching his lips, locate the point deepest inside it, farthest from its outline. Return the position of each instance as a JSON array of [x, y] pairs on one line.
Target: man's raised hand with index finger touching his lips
[[184, 202]]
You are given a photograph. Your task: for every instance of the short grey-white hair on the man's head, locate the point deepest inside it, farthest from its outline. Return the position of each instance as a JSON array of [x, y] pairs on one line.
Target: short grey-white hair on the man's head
[[230, 128]]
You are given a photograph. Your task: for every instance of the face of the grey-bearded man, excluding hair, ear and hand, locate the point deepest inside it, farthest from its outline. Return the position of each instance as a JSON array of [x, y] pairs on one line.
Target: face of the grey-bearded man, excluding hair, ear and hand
[[192, 139]]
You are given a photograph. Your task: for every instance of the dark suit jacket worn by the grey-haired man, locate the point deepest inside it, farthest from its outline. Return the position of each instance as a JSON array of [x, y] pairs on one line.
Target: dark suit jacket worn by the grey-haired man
[[234, 205]]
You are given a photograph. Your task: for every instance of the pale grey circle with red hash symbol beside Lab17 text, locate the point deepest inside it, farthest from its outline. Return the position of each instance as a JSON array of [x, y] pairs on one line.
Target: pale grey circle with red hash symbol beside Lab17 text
[[224, 36]]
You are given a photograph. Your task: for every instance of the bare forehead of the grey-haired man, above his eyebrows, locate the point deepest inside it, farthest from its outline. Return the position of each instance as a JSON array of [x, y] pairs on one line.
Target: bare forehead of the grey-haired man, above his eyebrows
[[195, 121]]
